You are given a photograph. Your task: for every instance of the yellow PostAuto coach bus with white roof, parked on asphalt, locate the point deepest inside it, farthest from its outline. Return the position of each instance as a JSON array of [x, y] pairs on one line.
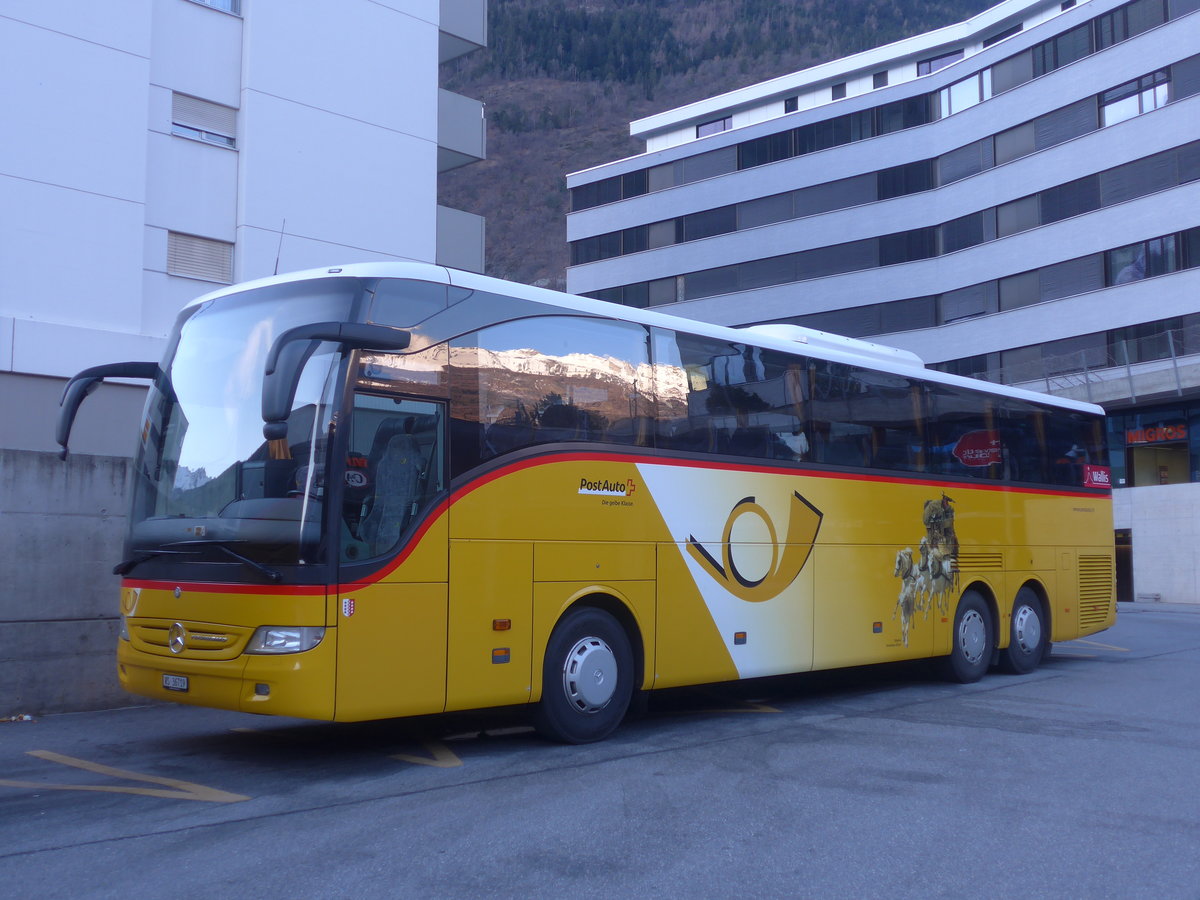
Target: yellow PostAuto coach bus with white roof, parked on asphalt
[[391, 490]]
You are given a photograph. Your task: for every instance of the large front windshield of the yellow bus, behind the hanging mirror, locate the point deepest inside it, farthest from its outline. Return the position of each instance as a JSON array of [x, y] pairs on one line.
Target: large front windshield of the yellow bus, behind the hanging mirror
[[208, 487]]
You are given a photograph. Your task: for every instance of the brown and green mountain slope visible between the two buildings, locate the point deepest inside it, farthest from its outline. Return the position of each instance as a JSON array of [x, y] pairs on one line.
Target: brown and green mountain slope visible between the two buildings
[[563, 79]]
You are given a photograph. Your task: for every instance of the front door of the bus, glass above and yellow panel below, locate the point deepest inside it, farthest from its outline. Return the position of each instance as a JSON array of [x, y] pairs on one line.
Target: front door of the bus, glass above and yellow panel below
[[391, 608]]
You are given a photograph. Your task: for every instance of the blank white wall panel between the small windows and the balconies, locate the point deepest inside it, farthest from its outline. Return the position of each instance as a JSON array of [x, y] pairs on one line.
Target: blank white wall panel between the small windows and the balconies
[[321, 152]]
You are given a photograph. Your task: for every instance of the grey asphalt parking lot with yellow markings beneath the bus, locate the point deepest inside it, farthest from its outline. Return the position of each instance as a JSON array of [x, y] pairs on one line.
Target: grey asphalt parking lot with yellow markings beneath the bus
[[1081, 781]]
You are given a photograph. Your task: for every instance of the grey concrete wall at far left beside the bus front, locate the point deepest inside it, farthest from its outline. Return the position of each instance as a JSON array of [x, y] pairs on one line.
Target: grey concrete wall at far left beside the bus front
[[62, 526]]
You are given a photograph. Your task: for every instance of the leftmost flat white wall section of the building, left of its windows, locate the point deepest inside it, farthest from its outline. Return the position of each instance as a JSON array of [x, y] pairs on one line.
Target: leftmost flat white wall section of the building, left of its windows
[[75, 99]]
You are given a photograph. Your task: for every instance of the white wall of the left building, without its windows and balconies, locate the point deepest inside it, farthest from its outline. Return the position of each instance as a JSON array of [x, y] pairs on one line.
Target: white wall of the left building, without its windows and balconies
[[337, 136]]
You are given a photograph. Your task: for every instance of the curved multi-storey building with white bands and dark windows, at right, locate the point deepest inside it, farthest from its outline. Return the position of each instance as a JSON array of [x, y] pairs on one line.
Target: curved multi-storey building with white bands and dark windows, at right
[[1015, 197]]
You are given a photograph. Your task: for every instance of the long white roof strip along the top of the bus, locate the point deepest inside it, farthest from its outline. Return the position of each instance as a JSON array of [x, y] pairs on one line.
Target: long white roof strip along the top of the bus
[[788, 339]]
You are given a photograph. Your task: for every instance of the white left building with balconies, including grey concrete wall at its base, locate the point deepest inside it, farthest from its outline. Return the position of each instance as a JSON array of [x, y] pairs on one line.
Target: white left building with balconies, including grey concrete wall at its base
[[158, 149]]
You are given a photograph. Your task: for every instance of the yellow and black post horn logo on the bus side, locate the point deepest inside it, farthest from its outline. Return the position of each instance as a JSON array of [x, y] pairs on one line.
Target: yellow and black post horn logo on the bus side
[[787, 561]]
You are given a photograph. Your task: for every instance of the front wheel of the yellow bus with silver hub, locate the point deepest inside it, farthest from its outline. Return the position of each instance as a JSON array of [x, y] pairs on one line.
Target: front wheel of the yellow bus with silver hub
[[587, 679]]
